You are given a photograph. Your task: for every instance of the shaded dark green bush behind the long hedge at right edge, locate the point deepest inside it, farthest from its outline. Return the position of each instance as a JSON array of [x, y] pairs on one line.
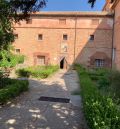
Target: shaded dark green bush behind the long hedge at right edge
[[108, 81]]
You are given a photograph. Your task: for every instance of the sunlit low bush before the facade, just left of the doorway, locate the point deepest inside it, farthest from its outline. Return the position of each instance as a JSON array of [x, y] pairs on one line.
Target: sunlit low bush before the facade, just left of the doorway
[[37, 72]]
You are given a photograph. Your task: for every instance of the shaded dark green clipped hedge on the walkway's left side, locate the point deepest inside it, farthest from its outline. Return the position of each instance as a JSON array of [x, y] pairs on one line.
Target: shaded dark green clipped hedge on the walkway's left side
[[13, 89]]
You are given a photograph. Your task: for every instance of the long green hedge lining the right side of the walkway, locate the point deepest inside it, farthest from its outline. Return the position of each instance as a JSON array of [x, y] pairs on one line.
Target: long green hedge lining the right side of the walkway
[[100, 111]]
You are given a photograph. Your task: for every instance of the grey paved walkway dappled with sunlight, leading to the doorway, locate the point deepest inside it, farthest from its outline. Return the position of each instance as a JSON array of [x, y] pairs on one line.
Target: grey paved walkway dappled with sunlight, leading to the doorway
[[27, 112]]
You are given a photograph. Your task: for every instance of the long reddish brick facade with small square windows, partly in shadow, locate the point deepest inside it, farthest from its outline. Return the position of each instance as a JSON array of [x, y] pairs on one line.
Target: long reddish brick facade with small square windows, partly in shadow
[[75, 36]]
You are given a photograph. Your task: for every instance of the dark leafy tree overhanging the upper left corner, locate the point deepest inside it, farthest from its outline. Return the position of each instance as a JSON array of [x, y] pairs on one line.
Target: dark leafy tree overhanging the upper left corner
[[14, 11]]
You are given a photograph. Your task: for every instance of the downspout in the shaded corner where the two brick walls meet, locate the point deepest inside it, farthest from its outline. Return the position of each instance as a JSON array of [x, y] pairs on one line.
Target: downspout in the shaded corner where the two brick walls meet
[[113, 40]]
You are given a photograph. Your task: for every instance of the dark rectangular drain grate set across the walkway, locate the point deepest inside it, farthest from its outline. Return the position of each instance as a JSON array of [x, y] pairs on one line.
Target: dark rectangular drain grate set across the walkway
[[53, 99]]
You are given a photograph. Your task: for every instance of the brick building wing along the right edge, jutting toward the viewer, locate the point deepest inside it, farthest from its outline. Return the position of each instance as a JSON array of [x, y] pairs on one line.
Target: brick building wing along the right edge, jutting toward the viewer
[[114, 6]]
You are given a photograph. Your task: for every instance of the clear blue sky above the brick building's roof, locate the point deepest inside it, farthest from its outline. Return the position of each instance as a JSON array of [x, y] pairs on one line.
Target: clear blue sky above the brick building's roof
[[73, 5]]
